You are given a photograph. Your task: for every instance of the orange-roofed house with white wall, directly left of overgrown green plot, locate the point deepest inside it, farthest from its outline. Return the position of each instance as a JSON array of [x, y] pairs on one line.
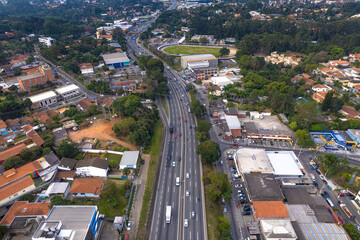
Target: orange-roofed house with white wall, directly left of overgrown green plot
[[87, 187]]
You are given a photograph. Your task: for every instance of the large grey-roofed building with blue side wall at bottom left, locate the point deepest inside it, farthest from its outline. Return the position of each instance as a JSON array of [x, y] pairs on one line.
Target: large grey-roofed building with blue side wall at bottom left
[[70, 222]]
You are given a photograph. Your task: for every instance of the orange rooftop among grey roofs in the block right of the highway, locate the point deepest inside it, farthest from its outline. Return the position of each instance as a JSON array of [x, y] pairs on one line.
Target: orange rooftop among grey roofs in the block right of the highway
[[270, 209]]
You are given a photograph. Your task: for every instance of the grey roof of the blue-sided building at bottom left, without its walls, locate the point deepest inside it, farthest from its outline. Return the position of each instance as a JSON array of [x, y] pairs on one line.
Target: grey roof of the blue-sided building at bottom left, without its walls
[[74, 220]]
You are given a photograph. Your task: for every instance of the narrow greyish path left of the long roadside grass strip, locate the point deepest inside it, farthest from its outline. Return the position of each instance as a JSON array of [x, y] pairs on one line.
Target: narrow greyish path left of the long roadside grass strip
[[139, 182]]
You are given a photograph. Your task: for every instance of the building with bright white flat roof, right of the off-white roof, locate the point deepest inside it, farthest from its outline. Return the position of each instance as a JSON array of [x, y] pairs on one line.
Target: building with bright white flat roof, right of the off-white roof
[[285, 164]]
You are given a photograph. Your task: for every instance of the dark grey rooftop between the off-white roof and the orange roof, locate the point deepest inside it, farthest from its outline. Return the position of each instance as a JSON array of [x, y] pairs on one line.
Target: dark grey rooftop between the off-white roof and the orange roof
[[263, 187]]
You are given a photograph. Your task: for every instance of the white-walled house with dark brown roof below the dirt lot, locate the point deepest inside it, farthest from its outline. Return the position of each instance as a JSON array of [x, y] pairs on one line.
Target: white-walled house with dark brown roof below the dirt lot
[[97, 167]]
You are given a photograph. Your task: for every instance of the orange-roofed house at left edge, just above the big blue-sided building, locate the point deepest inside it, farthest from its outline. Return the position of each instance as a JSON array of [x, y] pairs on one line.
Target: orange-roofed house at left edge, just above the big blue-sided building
[[24, 209]]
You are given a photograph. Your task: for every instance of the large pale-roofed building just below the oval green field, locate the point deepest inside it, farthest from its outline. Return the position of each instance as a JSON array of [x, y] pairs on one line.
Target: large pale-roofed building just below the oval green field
[[207, 60]]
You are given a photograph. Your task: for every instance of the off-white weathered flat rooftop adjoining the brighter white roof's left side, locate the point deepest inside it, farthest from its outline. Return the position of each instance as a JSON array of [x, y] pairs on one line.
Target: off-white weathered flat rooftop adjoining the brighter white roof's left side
[[253, 160]]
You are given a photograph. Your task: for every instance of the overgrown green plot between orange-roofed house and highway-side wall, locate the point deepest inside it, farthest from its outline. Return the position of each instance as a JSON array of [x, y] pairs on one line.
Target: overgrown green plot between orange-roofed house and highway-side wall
[[113, 201]]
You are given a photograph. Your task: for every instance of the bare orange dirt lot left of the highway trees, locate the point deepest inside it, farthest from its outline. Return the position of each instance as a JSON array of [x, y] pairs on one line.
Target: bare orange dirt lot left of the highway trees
[[102, 131]]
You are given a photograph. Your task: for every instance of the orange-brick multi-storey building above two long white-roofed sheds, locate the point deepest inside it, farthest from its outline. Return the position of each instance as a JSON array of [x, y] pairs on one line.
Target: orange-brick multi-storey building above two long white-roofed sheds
[[44, 75]]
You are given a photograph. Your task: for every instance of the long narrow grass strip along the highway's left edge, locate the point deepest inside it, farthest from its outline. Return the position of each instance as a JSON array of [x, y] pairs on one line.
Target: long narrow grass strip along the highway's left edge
[[154, 157]]
